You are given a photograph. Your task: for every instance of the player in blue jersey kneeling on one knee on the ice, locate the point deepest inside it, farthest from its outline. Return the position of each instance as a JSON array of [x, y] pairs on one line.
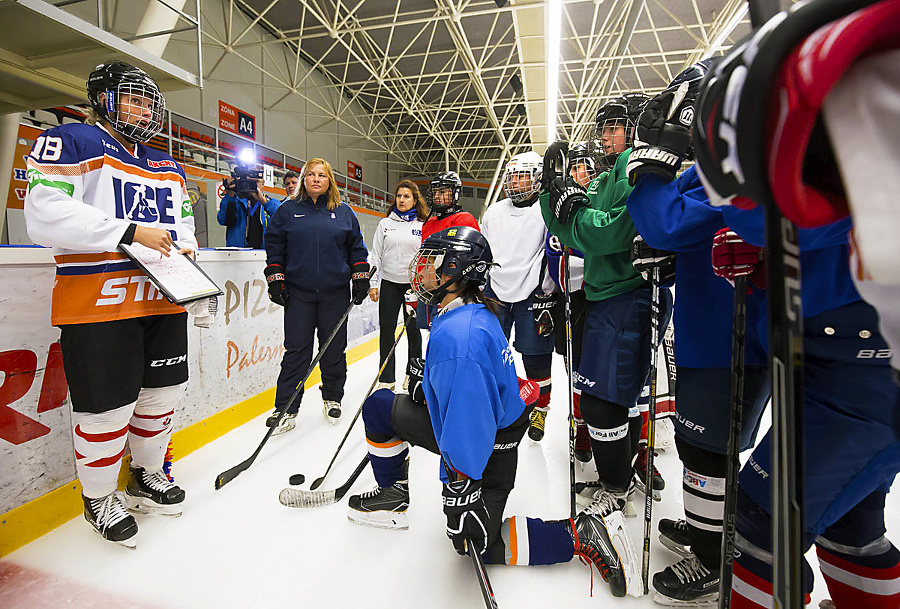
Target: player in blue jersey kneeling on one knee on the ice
[[466, 406]]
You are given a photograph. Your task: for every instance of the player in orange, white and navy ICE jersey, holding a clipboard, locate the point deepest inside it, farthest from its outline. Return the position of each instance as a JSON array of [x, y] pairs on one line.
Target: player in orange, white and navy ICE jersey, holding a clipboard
[[92, 187]]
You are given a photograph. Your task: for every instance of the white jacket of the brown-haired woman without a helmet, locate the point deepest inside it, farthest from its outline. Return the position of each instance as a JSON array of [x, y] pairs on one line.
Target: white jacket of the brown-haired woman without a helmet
[[395, 243]]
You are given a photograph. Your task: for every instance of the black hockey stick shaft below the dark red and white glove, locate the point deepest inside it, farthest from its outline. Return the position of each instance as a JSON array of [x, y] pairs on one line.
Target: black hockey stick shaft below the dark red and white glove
[[726, 562]]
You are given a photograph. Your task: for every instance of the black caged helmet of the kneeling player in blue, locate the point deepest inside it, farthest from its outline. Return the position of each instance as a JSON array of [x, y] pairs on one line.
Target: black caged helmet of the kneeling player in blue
[[461, 252]]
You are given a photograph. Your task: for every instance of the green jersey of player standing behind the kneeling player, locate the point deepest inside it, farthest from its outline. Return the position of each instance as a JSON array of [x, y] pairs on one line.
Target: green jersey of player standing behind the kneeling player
[[603, 231]]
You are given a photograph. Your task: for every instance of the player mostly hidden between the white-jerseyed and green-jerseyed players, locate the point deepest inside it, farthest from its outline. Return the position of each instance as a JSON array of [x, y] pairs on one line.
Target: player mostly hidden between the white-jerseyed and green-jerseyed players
[[583, 169]]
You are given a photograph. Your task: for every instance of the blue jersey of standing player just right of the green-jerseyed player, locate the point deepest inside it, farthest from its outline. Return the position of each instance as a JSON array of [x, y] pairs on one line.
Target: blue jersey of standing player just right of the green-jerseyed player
[[677, 216]]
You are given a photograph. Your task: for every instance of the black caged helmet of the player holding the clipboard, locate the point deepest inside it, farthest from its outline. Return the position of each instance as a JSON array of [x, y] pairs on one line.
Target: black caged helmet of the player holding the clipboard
[[121, 82]]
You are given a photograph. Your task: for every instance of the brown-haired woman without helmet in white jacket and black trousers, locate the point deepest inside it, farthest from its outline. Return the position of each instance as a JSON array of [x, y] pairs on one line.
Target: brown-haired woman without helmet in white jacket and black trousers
[[396, 241]]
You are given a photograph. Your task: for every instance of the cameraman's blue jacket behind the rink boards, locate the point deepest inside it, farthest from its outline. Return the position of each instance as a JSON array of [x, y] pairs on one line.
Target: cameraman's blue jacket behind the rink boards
[[245, 215]]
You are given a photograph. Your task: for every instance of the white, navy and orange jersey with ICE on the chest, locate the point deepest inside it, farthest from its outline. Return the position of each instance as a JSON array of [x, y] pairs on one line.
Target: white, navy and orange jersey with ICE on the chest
[[84, 190]]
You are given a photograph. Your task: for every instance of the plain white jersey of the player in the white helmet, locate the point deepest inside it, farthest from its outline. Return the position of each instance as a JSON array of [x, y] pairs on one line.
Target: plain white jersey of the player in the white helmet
[[516, 236]]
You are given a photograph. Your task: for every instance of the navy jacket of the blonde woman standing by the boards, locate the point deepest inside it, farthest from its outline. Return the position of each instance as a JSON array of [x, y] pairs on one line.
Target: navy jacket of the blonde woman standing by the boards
[[316, 246]]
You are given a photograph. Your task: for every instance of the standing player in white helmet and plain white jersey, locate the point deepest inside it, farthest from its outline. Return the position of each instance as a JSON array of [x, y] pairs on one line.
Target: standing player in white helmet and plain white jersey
[[515, 230]]
